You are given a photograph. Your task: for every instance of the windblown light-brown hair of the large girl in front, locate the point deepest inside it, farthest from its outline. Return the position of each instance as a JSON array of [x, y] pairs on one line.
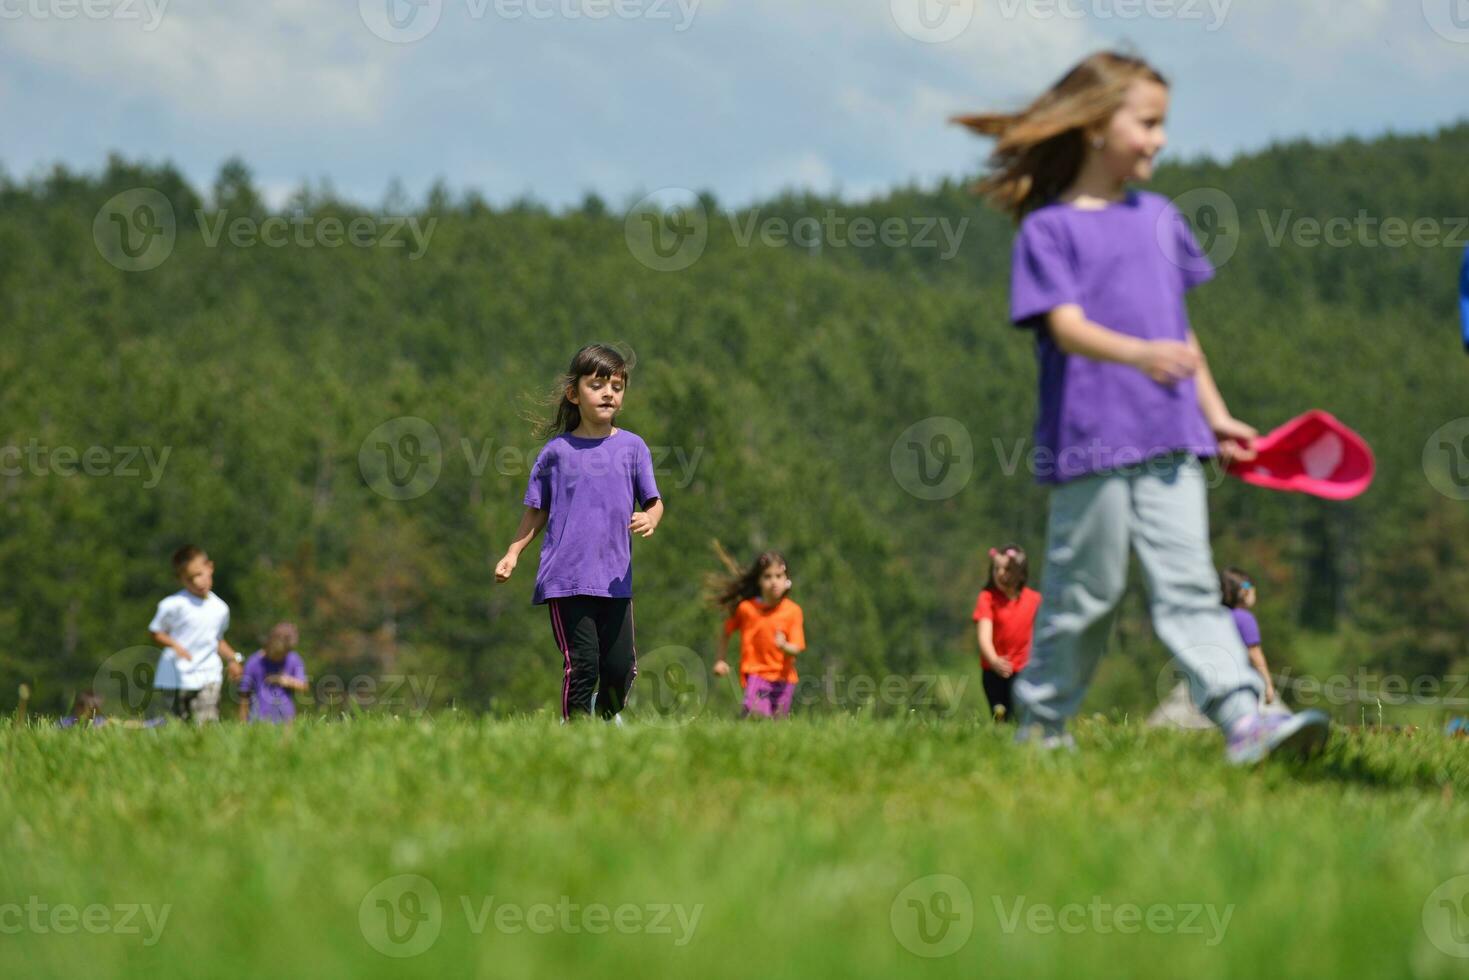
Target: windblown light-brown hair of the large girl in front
[[1041, 149]]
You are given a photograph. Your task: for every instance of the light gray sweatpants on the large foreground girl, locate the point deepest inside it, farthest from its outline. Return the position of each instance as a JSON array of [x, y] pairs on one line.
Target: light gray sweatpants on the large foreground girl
[[1158, 508]]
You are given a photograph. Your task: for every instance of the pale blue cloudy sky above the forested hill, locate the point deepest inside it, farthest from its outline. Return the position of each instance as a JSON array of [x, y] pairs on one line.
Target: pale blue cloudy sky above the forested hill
[[555, 99]]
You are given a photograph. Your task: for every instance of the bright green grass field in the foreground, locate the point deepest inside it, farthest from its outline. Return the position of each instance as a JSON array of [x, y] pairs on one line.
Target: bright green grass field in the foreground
[[815, 849]]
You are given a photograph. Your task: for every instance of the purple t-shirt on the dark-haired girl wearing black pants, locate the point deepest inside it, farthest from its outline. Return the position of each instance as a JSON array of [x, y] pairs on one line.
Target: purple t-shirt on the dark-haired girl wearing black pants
[[591, 489]]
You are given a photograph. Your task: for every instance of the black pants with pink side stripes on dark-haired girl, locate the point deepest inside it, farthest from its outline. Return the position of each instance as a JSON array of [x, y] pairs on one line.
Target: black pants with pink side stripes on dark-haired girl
[[596, 638]]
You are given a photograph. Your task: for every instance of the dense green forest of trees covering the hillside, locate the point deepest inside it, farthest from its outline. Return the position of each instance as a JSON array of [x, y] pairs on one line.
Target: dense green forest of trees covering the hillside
[[228, 394]]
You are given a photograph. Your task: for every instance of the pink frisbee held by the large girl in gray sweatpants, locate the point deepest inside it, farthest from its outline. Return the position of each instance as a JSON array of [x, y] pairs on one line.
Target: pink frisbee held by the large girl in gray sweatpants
[[1311, 455]]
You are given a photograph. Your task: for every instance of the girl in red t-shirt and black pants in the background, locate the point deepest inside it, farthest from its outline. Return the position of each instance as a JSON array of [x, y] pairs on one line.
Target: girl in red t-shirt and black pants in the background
[[1004, 616]]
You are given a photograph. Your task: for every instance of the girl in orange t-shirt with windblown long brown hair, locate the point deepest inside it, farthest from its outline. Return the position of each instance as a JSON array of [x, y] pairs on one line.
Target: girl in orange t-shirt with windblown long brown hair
[[772, 633]]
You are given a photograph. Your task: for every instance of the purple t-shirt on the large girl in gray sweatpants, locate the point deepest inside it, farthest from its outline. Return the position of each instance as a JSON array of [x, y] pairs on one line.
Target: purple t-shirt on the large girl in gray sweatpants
[[1127, 267]]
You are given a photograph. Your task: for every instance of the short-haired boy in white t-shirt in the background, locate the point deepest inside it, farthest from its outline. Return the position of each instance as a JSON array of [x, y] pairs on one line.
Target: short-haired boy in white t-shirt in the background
[[190, 627]]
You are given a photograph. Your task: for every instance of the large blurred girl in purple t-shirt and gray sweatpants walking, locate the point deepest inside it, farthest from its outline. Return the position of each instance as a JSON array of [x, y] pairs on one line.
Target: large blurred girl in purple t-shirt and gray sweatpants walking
[[1127, 403]]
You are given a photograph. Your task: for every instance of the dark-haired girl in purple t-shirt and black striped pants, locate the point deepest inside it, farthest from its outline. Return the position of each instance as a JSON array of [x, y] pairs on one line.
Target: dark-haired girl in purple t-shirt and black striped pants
[[585, 490]]
